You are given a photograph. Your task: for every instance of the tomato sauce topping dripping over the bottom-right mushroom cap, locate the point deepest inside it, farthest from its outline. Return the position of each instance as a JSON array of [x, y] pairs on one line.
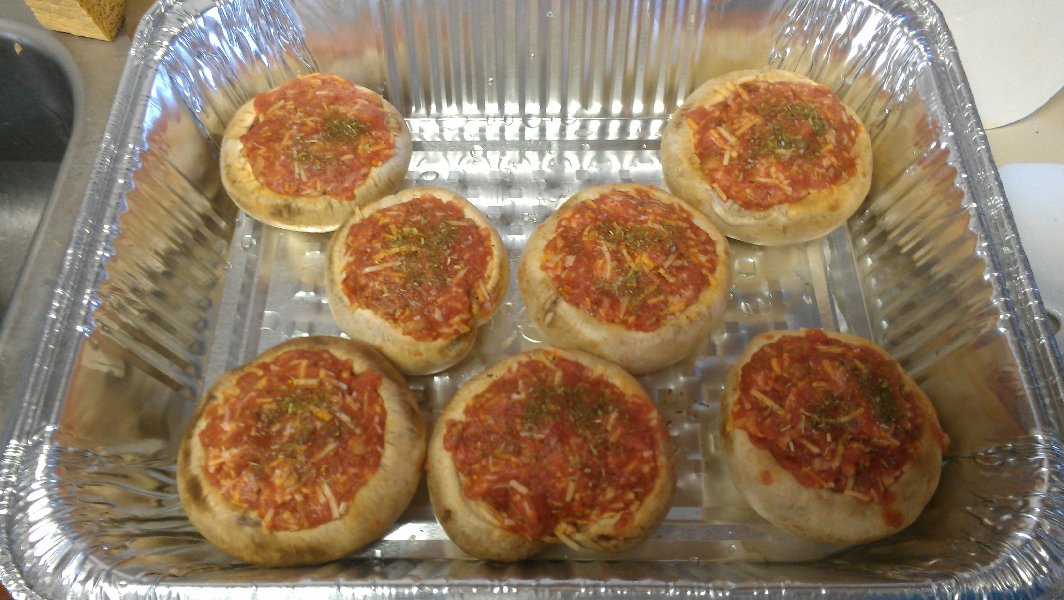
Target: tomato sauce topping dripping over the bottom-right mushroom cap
[[836, 415]]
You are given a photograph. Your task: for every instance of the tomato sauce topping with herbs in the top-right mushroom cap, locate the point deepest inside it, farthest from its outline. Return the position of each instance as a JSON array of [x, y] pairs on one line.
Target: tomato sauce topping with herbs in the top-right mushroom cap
[[774, 143]]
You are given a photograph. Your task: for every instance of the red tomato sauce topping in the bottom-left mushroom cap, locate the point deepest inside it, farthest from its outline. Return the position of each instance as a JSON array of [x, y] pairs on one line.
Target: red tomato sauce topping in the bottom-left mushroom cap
[[296, 440]]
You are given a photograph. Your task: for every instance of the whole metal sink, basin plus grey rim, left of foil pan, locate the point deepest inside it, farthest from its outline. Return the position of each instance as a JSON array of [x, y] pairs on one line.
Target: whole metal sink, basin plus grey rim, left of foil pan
[[59, 89]]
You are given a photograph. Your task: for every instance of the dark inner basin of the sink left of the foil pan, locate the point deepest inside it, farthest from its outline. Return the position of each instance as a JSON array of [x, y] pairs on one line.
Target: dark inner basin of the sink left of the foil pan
[[37, 119]]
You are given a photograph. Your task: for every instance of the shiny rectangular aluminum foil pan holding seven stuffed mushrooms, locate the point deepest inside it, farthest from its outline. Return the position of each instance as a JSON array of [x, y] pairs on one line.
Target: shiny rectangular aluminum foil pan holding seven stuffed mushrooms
[[518, 105]]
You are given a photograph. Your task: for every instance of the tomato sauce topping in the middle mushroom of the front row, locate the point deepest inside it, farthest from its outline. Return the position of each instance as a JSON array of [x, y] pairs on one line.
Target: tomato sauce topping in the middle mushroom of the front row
[[551, 445]]
